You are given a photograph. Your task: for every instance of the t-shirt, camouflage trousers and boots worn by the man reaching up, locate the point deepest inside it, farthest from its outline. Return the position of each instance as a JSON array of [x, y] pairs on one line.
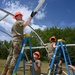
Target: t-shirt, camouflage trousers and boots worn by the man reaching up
[[17, 31]]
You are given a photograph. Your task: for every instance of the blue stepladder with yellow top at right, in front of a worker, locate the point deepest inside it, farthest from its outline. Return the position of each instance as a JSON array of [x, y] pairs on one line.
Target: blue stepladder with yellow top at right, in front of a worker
[[60, 48]]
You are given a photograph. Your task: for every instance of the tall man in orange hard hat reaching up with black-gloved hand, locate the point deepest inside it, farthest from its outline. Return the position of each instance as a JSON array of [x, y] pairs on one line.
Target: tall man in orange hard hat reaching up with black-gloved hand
[[17, 31]]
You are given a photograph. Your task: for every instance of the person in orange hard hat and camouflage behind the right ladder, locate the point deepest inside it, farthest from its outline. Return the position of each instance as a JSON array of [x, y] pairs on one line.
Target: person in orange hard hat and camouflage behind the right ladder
[[51, 46]]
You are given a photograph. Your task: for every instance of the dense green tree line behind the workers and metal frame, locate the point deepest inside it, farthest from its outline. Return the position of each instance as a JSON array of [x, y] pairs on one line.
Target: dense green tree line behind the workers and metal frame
[[67, 34]]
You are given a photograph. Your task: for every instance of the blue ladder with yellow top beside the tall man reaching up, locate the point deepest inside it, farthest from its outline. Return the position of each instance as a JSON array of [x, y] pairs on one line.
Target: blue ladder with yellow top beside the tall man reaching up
[[21, 55]]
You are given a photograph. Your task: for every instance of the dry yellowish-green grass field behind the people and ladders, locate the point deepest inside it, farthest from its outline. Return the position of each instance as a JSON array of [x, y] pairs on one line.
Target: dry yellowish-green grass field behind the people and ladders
[[44, 68]]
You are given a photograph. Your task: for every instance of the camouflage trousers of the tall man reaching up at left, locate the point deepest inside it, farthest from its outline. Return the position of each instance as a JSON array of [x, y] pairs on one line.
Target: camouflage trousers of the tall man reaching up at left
[[14, 52]]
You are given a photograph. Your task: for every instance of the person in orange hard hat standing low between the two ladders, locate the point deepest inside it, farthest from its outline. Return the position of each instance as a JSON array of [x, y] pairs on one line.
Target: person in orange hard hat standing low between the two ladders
[[37, 64]]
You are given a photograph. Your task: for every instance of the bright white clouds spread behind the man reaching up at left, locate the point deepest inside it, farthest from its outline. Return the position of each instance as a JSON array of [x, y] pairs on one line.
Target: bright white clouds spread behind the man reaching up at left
[[9, 21]]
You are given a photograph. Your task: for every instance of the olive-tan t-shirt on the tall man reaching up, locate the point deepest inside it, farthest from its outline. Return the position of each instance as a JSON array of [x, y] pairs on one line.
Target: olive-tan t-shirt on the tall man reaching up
[[17, 28]]
